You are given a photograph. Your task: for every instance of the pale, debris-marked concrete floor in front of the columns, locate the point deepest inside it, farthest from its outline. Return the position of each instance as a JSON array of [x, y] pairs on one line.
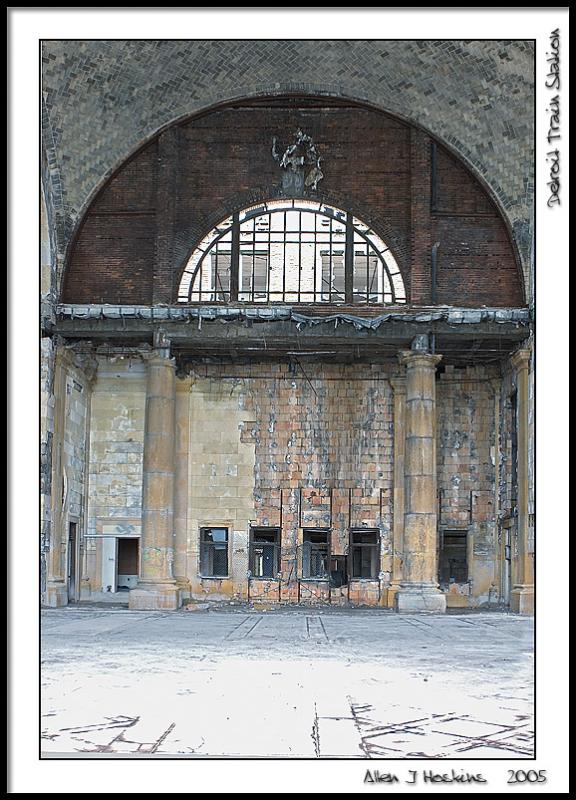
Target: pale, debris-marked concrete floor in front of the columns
[[287, 683]]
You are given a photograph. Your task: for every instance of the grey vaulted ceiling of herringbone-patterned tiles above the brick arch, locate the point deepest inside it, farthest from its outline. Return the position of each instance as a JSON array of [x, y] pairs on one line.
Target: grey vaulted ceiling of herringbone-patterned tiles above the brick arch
[[102, 99]]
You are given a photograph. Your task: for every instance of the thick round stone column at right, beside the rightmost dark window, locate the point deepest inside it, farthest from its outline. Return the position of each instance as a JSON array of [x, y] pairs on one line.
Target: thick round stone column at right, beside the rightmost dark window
[[419, 585]]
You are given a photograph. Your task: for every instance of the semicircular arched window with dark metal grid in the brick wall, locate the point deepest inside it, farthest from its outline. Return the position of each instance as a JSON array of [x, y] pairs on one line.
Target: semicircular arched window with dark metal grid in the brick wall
[[292, 251]]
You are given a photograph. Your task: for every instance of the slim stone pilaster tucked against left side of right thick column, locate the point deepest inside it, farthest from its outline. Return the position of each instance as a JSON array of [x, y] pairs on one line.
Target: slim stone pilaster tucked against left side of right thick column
[[398, 384]]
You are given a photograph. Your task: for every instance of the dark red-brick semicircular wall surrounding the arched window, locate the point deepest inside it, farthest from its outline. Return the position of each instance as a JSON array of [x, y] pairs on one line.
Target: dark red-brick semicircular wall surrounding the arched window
[[141, 226]]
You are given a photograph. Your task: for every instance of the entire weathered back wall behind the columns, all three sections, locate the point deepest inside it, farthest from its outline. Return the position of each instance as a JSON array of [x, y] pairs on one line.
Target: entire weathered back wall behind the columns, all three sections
[[294, 447]]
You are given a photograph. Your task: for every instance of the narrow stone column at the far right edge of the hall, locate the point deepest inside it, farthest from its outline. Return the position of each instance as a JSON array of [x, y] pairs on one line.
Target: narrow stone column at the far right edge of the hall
[[522, 595]]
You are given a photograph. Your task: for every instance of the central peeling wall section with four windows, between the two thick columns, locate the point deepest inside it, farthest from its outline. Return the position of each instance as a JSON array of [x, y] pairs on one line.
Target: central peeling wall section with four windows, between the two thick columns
[[310, 448]]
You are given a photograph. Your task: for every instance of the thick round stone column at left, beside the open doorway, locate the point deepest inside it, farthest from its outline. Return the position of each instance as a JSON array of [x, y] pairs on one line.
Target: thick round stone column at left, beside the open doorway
[[156, 587]]
